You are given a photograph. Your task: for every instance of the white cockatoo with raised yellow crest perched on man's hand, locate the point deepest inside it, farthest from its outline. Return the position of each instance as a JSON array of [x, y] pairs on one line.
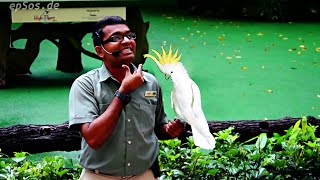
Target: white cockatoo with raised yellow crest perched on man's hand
[[185, 97]]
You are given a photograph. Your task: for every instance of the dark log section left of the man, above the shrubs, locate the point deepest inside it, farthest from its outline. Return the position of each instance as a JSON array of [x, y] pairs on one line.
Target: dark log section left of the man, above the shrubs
[[38, 138]]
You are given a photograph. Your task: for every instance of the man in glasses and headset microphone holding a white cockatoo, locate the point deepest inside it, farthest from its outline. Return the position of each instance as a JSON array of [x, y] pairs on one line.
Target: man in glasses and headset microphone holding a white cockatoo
[[119, 110]]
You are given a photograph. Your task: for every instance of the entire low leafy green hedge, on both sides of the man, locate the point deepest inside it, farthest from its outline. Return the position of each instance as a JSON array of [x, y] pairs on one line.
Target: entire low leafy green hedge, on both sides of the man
[[294, 155]]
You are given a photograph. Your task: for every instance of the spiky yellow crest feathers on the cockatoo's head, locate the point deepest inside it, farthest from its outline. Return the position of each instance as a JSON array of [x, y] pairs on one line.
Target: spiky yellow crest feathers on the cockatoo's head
[[165, 57]]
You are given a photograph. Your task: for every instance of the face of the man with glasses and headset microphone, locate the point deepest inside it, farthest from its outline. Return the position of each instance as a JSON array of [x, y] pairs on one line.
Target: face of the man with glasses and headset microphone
[[119, 42]]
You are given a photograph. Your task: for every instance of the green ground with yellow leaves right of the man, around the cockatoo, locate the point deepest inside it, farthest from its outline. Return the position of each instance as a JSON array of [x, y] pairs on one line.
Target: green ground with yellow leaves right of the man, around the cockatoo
[[245, 70]]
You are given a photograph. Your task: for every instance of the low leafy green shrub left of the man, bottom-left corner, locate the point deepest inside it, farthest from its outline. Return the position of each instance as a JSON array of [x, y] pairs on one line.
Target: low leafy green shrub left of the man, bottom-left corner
[[50, 168]]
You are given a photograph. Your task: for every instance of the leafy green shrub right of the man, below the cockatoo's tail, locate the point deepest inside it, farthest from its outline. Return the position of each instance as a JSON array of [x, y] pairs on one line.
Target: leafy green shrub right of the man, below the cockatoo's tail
[[294, 155]]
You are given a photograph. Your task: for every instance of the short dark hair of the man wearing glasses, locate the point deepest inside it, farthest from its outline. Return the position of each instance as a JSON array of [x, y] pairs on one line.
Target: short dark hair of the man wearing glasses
[[97, 34]]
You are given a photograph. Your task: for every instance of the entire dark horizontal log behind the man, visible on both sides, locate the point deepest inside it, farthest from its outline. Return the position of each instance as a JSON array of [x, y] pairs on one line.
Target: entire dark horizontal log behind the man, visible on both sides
[[57, 137]]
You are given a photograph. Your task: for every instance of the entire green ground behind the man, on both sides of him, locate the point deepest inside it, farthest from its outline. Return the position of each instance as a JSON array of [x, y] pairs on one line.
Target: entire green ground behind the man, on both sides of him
[[245, 70]]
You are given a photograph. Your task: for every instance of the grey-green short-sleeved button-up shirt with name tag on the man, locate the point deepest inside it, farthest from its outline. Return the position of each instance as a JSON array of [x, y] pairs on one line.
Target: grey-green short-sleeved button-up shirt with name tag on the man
[[133, 145]]
